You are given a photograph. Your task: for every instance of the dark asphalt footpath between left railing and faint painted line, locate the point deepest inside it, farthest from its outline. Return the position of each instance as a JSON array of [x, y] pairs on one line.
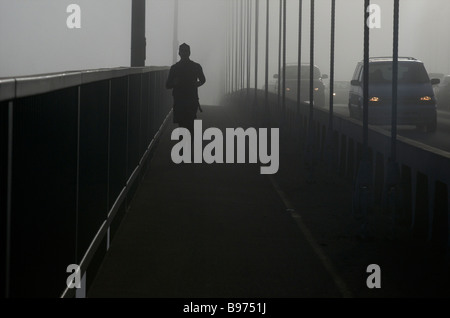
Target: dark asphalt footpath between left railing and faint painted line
[[220, 230]]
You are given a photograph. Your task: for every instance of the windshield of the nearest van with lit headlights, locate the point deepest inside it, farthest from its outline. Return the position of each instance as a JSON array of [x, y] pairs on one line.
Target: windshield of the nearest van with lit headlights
[[408, 73]]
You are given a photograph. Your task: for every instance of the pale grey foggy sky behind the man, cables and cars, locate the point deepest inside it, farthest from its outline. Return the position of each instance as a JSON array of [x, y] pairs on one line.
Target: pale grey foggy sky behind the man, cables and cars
[[35, 38]]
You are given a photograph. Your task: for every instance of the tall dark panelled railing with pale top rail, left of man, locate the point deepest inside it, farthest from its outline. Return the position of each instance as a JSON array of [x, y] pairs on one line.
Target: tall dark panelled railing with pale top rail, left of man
[[73, 148]]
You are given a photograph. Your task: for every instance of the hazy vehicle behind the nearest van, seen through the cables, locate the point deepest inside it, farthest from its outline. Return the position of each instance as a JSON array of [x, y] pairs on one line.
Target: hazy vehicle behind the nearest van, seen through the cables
[[291, 83]]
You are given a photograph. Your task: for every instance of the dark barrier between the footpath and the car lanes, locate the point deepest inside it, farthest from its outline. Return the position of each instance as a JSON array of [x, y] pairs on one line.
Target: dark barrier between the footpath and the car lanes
[[425, 171]]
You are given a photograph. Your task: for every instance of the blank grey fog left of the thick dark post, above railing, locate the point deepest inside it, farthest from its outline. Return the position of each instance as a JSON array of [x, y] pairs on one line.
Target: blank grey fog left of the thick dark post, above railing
[[35, 38]]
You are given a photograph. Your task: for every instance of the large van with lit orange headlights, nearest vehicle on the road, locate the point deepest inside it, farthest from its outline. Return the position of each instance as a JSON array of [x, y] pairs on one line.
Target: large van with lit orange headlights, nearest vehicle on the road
[[416, 101]]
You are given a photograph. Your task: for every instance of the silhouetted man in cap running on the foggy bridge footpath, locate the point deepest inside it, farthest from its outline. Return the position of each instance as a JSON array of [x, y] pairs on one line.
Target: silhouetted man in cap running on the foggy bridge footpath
[[184, 79]]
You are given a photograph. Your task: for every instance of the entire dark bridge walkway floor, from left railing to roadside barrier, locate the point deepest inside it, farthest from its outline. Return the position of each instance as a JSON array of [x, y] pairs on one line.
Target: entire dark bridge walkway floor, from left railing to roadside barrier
[[222, 230]]
